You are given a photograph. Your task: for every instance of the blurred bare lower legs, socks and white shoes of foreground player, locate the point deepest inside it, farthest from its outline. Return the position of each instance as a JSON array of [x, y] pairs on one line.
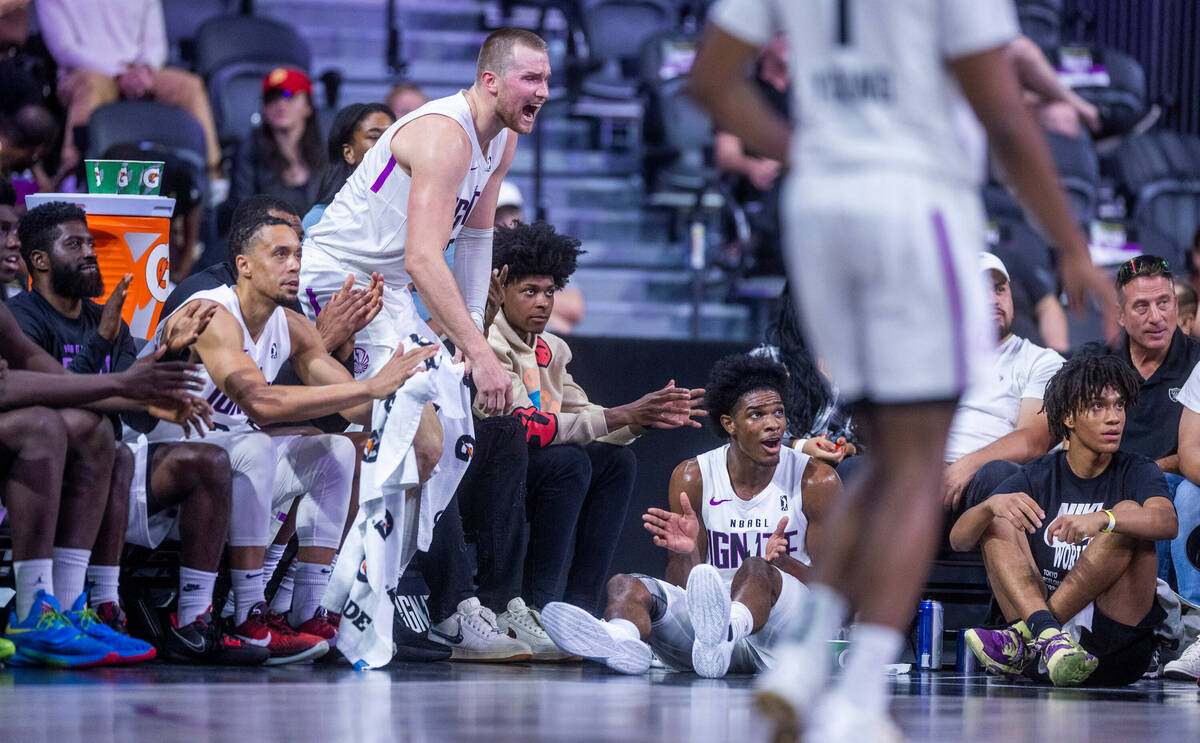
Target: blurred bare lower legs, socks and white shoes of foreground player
[[892, 511]]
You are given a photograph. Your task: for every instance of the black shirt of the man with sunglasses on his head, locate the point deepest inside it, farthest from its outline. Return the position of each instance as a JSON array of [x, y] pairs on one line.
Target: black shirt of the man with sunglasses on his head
[[1153, 427]]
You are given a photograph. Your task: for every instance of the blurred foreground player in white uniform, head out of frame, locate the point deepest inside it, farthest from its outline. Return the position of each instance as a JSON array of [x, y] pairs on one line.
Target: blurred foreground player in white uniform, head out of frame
[[887, 199]]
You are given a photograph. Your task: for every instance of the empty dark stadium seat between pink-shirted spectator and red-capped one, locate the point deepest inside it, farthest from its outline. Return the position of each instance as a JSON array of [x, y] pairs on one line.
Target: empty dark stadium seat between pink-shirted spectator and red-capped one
[[235, 53]]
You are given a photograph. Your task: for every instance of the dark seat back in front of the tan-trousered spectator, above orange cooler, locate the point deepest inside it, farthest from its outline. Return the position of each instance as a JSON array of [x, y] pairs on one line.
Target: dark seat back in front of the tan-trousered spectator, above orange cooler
[[157, 129]]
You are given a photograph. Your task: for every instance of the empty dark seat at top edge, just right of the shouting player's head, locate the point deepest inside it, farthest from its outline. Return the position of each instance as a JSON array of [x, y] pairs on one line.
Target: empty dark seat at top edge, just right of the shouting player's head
[[615, 33]]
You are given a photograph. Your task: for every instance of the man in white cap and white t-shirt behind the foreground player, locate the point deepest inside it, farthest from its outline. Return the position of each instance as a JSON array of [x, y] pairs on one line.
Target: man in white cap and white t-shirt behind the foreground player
[[1000, 418]]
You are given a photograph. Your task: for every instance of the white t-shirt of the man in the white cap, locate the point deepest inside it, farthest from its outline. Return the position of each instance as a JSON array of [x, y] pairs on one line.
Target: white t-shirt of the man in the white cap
[[989, 410]]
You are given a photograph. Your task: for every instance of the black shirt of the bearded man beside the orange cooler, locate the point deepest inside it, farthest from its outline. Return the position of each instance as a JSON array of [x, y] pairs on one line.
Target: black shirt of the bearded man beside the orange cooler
[[76, 343]]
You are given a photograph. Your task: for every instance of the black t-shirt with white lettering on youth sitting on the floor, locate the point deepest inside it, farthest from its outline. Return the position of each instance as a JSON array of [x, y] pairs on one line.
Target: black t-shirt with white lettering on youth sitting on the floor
[[1059, 492]]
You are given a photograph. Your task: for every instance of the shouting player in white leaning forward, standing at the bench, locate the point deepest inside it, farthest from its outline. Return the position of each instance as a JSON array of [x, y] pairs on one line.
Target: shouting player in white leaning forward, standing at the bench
[[434, 177]]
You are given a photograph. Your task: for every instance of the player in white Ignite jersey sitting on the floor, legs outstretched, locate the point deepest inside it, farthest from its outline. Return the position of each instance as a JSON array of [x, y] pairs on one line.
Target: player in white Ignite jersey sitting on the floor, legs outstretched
[[742, 520]]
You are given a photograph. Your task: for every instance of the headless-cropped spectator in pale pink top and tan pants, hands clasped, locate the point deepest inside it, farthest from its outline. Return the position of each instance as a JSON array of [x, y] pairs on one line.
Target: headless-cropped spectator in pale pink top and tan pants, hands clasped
[[110, 50]]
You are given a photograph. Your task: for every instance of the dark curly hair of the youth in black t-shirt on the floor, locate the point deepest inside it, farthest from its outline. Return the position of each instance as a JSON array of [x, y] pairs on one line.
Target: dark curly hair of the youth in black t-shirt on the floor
[[1082, 381]]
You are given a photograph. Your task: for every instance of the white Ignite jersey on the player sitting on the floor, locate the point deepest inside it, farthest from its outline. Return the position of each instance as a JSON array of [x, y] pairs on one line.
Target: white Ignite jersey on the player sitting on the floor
[[739, 529]]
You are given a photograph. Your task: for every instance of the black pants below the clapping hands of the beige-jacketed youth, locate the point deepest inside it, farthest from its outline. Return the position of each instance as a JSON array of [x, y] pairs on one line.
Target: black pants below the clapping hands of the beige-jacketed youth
[[581, 492]]
